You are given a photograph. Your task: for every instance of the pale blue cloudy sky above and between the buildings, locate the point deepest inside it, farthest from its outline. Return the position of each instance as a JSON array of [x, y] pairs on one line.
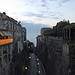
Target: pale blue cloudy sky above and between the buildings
[[36, 14]]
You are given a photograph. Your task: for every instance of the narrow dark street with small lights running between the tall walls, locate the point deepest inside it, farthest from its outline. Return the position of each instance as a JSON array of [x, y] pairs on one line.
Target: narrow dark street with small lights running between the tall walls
[[35, 66]]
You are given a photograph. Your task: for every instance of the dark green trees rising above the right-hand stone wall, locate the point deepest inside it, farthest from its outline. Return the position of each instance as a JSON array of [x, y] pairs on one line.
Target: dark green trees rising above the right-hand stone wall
[[57, 30]]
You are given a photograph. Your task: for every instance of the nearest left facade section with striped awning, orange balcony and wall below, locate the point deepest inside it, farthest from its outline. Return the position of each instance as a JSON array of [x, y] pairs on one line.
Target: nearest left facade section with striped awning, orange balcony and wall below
[[6, 48]]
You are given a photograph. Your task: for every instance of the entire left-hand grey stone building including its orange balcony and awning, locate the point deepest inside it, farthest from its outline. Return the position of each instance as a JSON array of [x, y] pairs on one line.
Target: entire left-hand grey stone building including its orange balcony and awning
[[12, 36]]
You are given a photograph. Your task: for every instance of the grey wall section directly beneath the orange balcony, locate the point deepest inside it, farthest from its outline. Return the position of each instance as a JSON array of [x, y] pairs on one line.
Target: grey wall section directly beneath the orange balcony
[[5, 57]]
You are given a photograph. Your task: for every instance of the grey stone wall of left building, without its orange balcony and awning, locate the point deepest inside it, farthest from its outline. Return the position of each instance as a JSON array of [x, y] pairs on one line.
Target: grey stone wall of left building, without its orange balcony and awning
[[18, 34]]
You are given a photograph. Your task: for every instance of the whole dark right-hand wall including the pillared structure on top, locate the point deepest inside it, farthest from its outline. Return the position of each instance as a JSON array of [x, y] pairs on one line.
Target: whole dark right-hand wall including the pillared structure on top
[[57, 53]]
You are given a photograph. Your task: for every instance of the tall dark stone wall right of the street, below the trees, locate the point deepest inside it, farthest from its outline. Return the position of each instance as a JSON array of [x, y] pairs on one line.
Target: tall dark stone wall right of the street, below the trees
[[53, 55]]
